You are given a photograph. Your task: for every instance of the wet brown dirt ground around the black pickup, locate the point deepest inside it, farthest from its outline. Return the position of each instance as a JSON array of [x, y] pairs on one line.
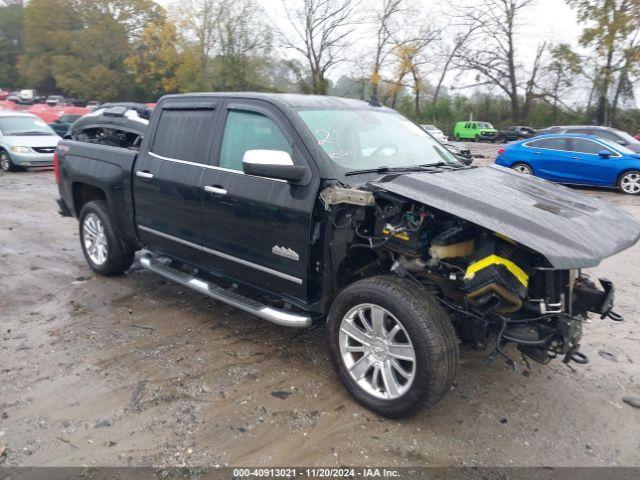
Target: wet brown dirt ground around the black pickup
[[133, 370]]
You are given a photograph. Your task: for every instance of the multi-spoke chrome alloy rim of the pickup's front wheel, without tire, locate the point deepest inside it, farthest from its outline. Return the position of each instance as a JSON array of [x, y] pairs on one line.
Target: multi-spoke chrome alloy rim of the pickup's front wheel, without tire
[[377, 351]]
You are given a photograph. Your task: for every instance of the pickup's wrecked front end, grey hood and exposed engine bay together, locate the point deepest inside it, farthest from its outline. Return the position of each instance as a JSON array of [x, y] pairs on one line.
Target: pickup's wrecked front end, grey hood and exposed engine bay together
[[503, 253]]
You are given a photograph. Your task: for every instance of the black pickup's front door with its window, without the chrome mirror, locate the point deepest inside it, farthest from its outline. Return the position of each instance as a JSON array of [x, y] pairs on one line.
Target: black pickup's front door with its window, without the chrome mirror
[[255, 229]]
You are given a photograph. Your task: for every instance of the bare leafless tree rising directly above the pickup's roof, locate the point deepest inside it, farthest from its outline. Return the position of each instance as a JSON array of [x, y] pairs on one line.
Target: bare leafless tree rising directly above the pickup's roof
[[321, 28]]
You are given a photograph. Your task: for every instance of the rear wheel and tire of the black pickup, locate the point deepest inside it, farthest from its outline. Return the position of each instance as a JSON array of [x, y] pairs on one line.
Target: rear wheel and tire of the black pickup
[[101, 245]]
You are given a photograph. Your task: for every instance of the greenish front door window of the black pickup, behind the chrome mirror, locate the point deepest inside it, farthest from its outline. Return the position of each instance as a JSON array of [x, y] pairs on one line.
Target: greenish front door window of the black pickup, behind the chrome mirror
[[245, 131]]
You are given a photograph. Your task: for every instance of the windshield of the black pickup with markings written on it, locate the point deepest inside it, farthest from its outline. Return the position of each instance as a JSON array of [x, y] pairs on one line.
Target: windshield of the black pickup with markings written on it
[[369, 140]]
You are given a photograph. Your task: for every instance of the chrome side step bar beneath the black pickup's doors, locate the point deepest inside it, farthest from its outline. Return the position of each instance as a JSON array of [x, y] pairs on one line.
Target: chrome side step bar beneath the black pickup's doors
[[234, 299]]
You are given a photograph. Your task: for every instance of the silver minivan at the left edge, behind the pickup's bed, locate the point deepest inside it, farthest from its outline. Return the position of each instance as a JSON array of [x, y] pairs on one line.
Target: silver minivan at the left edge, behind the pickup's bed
[[25, 141]]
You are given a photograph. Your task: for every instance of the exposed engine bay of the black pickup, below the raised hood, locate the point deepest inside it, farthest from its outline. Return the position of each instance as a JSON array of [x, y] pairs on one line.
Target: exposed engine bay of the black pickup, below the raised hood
[[496, 290]]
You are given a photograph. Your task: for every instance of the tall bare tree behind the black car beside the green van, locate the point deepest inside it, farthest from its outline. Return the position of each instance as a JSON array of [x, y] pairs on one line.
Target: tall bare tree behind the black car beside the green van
[[497, 22]]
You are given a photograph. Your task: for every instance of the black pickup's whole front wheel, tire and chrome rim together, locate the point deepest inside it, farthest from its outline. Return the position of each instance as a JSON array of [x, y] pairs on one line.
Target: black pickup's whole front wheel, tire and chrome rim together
[[392, 345]]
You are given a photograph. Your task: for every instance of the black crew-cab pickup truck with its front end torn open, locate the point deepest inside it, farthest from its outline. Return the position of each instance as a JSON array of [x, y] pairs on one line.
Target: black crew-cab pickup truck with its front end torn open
[[303, 209]]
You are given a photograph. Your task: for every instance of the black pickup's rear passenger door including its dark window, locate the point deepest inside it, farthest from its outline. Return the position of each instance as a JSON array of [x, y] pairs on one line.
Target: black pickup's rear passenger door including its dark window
[[168, 177]]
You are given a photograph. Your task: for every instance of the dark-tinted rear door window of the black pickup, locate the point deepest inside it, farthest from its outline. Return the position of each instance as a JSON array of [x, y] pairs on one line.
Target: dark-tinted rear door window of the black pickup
[[184, 134]]
